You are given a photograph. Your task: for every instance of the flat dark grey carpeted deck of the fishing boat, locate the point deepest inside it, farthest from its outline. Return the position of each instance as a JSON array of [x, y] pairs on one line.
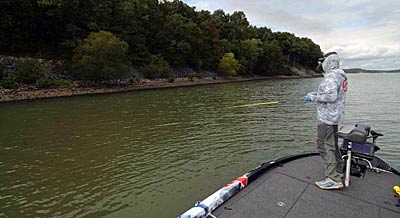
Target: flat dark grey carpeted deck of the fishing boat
[[289, 192]]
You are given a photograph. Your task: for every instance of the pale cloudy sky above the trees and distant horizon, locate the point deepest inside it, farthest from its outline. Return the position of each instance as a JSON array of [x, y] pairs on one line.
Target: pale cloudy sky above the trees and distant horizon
[[365, 33]]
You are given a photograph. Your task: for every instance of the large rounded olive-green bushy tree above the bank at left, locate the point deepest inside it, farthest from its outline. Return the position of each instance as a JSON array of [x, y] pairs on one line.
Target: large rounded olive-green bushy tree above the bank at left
[[101, 56]]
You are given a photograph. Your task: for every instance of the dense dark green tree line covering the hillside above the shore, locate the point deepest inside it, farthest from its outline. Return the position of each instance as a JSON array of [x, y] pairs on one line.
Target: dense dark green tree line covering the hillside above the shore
[[159, 36]]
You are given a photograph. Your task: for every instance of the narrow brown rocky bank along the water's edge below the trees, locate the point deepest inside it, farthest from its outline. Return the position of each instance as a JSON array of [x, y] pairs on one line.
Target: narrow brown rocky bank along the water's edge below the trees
[[32, 93]]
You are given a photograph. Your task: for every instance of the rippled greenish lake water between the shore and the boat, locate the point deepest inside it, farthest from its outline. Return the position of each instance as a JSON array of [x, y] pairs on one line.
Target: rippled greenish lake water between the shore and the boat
[[155, 153]]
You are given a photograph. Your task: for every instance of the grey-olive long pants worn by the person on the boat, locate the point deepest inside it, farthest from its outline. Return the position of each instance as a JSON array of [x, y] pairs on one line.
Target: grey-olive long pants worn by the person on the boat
[[327, 145]]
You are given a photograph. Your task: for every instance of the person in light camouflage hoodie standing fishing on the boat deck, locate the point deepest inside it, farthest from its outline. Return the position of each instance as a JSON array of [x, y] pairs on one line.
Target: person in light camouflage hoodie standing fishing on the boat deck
[[330, 98]]
